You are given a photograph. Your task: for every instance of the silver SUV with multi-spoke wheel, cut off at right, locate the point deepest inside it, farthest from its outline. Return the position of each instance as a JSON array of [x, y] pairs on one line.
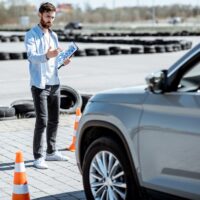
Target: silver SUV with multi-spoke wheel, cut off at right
[[139, 142]]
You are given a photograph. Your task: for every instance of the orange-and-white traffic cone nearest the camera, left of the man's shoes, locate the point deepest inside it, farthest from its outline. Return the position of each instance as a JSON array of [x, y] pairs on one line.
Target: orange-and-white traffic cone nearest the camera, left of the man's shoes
[[20, 189]]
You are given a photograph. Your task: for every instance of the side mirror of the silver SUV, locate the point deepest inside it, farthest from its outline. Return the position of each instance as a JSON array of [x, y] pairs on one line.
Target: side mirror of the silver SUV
[[157, 82]]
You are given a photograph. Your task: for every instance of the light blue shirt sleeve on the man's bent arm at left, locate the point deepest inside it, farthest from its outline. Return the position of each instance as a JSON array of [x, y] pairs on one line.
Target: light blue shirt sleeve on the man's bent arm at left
[[31, 49]]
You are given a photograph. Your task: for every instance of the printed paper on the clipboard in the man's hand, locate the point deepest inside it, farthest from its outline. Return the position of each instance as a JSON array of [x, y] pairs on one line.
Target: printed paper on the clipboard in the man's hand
[[72, 48]]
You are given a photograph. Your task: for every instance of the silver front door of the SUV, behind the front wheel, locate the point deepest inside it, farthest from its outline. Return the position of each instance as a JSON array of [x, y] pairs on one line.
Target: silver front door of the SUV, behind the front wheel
[[169, 139]]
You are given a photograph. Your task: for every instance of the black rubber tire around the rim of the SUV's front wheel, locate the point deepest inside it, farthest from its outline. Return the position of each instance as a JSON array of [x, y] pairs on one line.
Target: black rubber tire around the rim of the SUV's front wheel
[[110, 145]]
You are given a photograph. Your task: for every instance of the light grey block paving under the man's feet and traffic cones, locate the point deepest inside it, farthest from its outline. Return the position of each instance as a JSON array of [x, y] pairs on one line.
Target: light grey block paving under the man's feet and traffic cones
[[61, 181]]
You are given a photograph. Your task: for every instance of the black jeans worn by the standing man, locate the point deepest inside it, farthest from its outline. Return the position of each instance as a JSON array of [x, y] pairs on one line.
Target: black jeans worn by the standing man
[[47, 105]]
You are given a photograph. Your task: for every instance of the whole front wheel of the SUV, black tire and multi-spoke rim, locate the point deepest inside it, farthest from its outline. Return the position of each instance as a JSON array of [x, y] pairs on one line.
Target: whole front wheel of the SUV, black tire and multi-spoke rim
[[110, 150]]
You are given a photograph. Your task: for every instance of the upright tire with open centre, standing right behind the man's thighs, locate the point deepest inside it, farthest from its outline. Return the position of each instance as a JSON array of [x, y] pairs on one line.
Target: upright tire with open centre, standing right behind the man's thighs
[[70, 100]]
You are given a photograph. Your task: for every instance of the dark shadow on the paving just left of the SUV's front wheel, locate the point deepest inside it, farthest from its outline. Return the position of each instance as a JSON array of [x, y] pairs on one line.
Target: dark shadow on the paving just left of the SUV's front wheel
[[77, 195]]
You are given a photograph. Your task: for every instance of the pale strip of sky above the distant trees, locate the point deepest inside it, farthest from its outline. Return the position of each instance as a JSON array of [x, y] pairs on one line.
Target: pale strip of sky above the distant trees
[[119, 3]]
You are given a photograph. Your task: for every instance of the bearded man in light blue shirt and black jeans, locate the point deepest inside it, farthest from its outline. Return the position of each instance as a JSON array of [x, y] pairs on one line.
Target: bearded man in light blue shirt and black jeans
[[42, 48]]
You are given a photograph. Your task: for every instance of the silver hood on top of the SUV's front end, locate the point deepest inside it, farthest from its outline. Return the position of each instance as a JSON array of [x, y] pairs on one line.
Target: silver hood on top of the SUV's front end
[[128, 95]]
